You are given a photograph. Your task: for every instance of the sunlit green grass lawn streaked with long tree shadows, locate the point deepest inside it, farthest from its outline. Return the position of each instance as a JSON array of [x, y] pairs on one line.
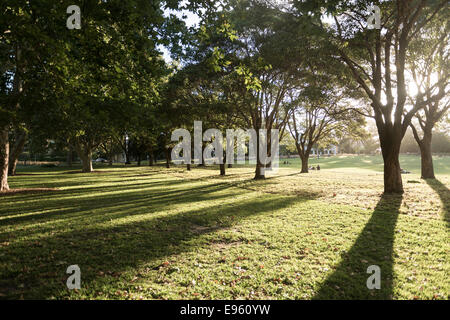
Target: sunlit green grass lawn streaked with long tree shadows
[[157, 233]]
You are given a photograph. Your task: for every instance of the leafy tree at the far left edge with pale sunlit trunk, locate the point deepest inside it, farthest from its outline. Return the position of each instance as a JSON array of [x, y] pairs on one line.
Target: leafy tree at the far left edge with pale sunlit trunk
[[28, 52]]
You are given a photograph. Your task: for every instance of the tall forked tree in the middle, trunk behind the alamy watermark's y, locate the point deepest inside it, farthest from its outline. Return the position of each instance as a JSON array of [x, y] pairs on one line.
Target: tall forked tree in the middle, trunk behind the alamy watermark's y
[[268, 55]]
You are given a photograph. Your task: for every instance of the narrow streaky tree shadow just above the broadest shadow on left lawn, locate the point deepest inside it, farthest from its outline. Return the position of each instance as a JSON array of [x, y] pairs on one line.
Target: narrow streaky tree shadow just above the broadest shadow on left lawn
[[113, 205]]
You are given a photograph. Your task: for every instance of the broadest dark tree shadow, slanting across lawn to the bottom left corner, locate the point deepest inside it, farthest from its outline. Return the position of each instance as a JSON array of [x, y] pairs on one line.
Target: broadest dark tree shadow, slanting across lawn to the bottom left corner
[[102, 247]]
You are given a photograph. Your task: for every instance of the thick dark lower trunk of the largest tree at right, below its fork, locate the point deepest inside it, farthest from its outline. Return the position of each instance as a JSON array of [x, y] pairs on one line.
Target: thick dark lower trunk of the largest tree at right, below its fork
[[392, 172]]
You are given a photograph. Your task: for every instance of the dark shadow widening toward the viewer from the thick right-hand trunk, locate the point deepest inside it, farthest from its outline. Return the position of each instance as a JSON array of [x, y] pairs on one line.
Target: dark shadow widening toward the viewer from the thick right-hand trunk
[[374, 246]]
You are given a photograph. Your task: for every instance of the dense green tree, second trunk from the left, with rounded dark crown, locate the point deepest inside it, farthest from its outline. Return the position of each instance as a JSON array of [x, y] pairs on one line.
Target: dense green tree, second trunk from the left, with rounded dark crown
[[114, 72]]
